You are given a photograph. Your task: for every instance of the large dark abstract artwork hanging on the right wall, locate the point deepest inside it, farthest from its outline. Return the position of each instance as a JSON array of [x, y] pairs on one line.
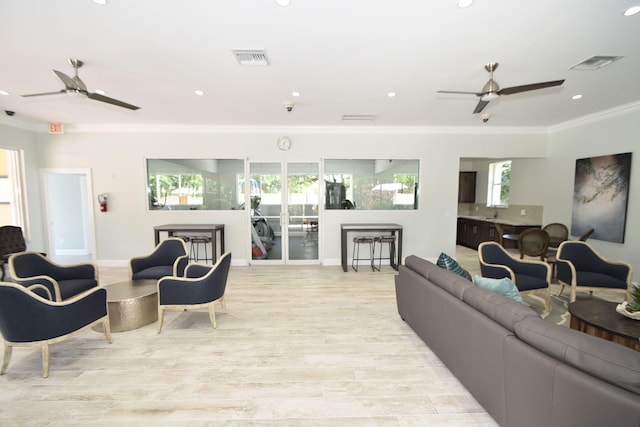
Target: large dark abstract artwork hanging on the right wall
[[600, 195]]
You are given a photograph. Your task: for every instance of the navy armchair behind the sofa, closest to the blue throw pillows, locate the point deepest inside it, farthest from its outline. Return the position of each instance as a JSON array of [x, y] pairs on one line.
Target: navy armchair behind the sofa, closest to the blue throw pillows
[[529, 276]]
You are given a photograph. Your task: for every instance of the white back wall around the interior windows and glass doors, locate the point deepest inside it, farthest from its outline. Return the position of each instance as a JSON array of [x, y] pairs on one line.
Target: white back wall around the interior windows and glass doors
[[117, 160]]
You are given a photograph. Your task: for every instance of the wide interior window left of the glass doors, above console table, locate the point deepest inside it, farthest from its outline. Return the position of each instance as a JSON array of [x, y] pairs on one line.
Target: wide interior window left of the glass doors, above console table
[[194, 184]]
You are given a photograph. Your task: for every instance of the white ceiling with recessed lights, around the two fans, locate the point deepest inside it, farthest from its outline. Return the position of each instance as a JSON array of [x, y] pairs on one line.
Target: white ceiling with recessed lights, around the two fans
[[344, 56]]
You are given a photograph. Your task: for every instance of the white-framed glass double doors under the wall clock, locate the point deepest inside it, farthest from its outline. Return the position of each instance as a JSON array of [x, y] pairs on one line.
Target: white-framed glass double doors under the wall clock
[[284, 217]]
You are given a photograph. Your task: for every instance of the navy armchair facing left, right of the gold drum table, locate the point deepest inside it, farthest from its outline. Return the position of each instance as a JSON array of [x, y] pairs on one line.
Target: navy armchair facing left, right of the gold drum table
[[202, 287]]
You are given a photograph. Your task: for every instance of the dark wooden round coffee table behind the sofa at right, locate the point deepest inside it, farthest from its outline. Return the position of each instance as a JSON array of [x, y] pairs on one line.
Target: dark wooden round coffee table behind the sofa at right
[[599, 317]]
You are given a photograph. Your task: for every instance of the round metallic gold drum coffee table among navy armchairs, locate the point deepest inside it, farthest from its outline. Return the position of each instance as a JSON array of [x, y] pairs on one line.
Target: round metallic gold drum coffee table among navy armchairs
[[132, 304]]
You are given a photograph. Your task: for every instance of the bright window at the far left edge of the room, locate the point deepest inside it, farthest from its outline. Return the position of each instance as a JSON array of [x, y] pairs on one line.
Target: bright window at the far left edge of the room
[[12, 198]]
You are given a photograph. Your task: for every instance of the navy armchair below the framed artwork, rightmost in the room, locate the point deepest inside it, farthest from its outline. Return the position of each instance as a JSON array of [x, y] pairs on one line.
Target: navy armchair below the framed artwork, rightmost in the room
[[578, 265]]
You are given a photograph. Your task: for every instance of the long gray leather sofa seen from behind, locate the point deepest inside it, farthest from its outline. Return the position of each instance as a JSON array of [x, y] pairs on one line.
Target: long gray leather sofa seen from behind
[[523, 370]]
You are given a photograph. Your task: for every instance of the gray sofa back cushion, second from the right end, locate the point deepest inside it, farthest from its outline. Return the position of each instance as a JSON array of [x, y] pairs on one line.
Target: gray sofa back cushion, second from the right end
[[503, 310]]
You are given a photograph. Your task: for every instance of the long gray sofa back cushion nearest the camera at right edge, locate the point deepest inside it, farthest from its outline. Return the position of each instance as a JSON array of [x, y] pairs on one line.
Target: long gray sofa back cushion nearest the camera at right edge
[[603, 359]]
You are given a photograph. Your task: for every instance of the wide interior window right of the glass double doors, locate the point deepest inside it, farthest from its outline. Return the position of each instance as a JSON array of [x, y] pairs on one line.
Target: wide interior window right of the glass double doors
[[371, 184]]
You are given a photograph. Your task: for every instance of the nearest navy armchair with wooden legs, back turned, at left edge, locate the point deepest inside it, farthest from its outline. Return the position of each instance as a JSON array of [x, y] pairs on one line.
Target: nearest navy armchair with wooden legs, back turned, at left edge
[[28, 319]]
